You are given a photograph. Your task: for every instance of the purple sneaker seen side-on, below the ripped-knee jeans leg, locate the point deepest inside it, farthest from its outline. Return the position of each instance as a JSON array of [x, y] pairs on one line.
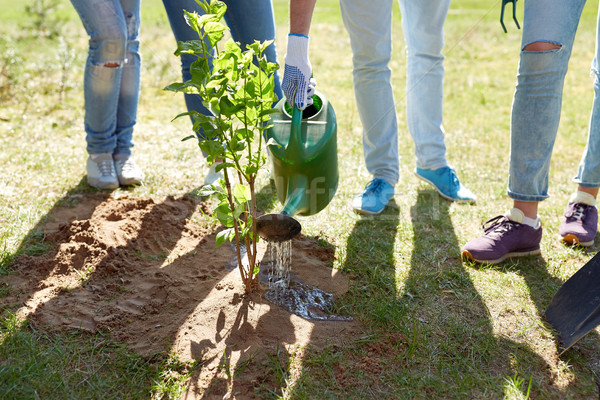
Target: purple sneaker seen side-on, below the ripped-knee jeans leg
[[504, 236]]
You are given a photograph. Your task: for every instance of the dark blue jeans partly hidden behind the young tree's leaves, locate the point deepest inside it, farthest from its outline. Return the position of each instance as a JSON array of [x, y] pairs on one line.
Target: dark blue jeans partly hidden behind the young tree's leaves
[[248, 20]]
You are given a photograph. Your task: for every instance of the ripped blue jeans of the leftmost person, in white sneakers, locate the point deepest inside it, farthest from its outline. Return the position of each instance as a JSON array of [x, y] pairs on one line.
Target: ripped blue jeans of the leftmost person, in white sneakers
[[112, 73]]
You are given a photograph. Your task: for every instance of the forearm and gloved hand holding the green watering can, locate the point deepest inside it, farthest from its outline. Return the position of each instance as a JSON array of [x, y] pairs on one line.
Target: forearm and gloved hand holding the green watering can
[[298, 85]]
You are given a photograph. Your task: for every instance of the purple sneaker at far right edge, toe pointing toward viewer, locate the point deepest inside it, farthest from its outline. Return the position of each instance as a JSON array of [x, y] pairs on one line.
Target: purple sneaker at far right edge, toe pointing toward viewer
[[580, 224]]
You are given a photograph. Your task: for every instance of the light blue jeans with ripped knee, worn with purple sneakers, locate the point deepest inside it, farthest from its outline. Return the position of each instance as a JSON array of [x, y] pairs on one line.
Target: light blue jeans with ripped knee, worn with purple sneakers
[[538, 99]]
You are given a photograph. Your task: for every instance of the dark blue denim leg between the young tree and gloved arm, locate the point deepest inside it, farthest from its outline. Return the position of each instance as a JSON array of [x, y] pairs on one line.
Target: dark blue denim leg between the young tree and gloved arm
[[251, 20]]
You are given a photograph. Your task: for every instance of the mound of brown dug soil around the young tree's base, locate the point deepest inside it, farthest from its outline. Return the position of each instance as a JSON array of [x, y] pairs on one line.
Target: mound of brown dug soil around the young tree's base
[[149, 274]]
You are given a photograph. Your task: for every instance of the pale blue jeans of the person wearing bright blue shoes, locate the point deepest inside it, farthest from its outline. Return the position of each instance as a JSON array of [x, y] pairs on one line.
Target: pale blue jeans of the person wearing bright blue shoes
[[369, 24]]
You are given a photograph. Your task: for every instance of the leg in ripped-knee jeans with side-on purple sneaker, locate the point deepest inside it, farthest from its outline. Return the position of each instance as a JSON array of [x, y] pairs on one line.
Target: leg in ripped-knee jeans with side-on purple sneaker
[[548, 33]]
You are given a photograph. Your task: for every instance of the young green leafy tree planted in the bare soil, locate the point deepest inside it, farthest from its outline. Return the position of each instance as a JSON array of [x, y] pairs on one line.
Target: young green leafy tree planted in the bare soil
[[238, 88]]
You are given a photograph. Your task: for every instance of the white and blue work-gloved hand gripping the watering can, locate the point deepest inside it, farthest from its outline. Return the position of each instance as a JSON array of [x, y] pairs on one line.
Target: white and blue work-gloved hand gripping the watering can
[[297, 85]]
